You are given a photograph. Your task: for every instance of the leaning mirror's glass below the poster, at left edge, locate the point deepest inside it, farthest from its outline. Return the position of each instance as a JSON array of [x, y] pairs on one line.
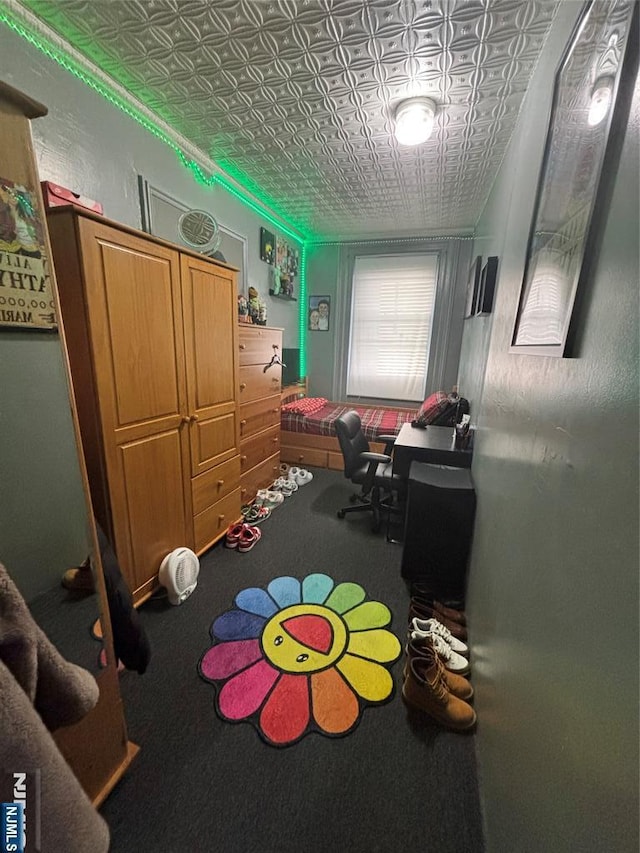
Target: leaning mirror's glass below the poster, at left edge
[[44, 526]]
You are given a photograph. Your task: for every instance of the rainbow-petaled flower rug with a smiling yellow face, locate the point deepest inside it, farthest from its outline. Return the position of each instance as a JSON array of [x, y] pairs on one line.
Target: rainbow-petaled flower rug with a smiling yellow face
[[301, 656]]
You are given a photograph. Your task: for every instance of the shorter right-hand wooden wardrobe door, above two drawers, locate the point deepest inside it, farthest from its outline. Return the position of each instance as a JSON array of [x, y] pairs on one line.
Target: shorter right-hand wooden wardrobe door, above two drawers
[[211, 347]]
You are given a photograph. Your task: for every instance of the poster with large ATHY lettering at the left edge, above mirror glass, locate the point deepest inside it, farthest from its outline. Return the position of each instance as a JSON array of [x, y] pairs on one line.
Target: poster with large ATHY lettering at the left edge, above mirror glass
[[26, 297]]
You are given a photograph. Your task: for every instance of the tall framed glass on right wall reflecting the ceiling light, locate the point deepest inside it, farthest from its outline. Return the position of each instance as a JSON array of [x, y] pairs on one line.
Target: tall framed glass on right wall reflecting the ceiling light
[[591, 100]]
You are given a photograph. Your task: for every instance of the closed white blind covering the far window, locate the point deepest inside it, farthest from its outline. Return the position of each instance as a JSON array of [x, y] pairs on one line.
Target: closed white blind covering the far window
[[392, 304]]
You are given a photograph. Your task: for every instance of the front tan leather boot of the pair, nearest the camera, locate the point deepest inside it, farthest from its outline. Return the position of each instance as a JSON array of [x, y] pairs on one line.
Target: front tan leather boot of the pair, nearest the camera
[[425, 689]]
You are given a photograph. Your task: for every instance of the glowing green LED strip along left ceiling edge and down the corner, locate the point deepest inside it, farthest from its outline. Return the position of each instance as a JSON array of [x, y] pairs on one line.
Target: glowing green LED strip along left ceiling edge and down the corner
[[196, 170]]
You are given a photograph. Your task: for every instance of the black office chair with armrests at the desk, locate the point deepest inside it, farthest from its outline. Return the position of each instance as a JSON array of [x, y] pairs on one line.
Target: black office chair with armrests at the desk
[[373, 472]]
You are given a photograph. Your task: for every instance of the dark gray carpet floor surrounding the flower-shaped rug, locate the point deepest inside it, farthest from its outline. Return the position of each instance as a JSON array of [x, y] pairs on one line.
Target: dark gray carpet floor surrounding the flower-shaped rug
[[396, 784]]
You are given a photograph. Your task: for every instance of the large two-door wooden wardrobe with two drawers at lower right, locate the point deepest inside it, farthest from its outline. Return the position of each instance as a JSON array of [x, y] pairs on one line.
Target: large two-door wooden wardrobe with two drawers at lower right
[[153, 346]]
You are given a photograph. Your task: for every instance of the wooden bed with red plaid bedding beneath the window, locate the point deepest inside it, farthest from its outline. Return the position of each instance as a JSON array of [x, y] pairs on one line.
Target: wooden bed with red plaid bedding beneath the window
[[308, 438]]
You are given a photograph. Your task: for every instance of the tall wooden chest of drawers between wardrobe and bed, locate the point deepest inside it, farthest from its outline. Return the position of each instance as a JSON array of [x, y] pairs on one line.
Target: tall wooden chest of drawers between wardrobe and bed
[[259, 399]]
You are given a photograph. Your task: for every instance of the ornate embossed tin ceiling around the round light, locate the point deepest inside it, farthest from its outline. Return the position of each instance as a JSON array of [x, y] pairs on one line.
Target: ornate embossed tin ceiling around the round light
[[294, 98]]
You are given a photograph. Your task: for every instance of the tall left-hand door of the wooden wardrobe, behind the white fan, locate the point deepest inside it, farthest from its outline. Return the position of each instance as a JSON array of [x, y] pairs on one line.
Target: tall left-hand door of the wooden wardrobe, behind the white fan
[[134, 310]]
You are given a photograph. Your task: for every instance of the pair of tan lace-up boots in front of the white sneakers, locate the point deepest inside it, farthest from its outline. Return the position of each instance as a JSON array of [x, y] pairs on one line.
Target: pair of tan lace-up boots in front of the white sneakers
[[430, 688]]
